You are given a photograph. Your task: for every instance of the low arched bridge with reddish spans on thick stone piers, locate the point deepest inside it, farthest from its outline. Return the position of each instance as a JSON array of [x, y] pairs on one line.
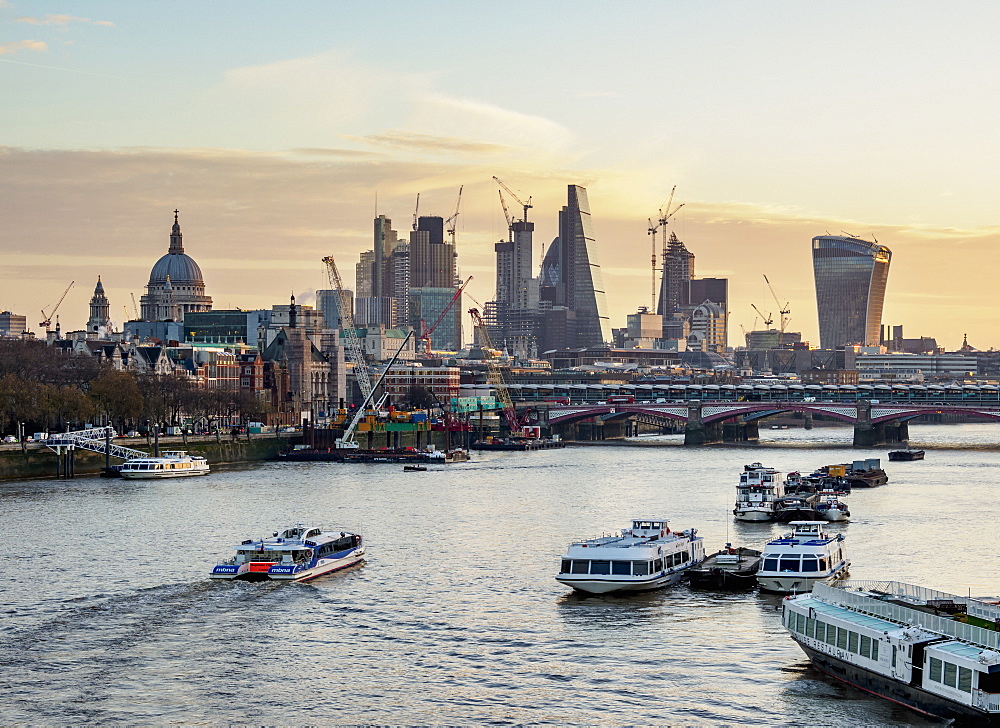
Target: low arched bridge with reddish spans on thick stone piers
[[710, 422]]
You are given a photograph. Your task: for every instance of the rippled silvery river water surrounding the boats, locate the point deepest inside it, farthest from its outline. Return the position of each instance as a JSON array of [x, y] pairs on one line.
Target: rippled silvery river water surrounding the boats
[[109, 617]]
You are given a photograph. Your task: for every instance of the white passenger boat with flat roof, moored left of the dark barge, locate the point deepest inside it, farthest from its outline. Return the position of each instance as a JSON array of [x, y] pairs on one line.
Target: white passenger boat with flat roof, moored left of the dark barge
[[647, 556]]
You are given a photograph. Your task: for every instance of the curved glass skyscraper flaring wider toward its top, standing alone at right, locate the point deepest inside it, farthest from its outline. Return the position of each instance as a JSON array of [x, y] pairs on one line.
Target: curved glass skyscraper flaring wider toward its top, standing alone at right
[[850, 279]]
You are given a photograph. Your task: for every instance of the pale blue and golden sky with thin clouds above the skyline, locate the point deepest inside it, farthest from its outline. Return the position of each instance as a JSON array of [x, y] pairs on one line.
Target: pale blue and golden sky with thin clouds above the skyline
[[279, 129]]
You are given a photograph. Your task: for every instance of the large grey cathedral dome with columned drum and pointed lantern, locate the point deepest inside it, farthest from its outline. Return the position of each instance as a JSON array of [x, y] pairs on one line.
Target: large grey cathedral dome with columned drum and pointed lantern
[[176, 285]]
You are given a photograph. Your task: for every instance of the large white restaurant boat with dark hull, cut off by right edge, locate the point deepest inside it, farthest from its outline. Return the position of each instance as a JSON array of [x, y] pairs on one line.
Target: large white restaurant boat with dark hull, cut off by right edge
[[936, 653]]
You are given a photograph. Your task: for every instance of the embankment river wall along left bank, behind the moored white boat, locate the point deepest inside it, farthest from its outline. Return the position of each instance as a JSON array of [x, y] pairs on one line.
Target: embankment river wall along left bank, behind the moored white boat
[[40, 462]]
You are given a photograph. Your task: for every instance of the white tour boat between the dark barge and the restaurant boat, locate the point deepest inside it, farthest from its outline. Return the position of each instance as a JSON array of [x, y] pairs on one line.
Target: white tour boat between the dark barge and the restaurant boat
[[802, 558]]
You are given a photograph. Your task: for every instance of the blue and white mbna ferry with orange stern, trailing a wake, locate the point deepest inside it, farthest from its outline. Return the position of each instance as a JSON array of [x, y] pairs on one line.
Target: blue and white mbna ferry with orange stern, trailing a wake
[[298, 553]]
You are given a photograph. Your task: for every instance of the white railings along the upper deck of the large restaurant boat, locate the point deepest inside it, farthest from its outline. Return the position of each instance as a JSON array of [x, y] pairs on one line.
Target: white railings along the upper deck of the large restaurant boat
[[849, 594]]
